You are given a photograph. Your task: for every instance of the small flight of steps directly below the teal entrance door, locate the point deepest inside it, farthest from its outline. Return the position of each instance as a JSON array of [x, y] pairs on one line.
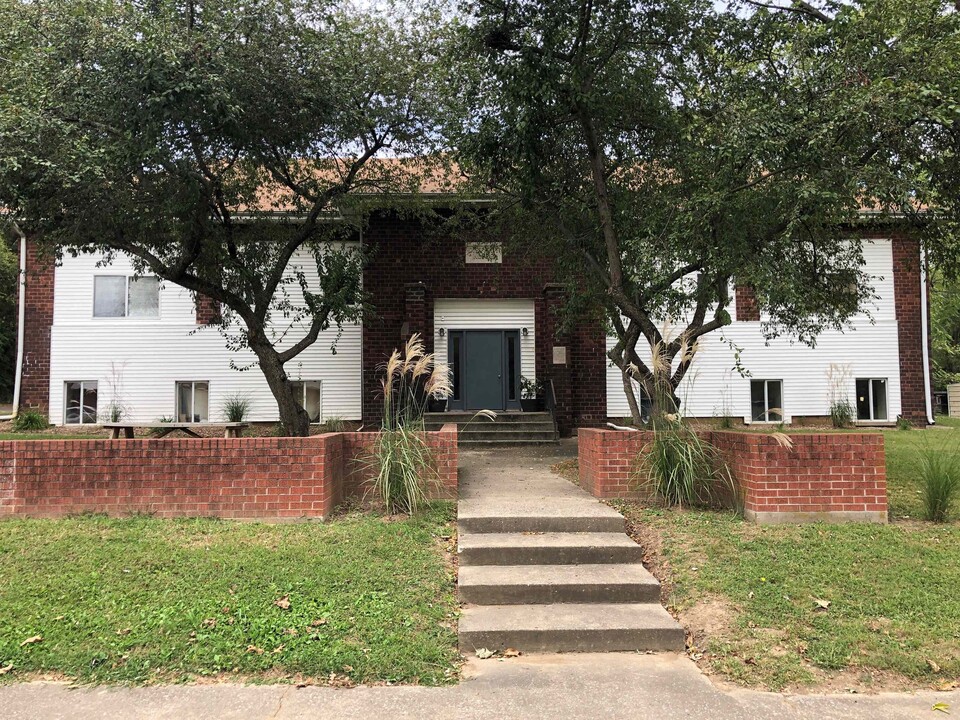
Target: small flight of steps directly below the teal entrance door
[[509, 428]]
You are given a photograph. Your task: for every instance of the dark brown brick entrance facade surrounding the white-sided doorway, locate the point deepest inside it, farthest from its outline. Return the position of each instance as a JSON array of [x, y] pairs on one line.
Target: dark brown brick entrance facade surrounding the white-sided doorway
[[411, 267]]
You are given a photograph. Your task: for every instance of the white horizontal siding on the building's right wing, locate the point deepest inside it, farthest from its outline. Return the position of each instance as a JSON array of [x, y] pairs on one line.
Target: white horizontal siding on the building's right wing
[[868, 350]]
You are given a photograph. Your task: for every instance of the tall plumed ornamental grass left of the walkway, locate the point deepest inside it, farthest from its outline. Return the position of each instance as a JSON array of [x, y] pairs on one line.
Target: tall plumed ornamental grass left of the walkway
[[402, 459]]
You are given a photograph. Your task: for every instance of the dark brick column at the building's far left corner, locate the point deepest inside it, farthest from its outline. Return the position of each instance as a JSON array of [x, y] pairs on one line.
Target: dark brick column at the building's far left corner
[[38, 319]]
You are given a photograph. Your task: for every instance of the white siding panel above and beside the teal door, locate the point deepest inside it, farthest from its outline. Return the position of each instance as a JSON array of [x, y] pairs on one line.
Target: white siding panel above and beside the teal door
[[471, 314]]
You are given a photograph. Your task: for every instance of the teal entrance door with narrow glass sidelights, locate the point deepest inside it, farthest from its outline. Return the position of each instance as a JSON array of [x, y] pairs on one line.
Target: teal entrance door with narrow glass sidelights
[[486, 369]]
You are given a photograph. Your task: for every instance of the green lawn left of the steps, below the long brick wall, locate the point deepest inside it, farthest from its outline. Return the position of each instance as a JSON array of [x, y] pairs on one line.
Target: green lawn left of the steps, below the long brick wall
[[142, 600]]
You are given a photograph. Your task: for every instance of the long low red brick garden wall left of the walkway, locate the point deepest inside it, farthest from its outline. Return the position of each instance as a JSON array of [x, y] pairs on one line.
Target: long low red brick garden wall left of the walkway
[[266, 478]]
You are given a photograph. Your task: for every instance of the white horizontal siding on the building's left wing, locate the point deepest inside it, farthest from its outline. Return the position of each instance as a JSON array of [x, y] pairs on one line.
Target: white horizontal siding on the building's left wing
[[138, 361]]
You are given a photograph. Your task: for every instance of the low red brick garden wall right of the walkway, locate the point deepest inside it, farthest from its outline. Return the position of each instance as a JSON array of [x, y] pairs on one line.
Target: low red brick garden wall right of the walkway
[[829, 477]]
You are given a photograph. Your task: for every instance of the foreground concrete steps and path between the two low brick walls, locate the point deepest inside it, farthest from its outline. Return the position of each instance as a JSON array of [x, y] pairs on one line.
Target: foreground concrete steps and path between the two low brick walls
[[547, 568]]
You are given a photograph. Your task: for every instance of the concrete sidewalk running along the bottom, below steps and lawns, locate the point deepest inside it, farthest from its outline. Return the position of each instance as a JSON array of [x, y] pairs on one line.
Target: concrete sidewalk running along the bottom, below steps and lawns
[[547, 687]]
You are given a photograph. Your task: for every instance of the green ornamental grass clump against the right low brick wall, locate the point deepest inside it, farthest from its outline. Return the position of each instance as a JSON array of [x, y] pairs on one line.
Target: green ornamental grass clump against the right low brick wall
[[683, 470]]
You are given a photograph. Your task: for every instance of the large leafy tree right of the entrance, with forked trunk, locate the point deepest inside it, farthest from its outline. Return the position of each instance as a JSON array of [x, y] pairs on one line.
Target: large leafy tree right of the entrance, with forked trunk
[[664, 150]]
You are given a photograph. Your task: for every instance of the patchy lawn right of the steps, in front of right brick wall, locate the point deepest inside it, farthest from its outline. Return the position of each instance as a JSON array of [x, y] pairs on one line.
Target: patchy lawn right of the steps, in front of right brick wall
[[893, 604]]
